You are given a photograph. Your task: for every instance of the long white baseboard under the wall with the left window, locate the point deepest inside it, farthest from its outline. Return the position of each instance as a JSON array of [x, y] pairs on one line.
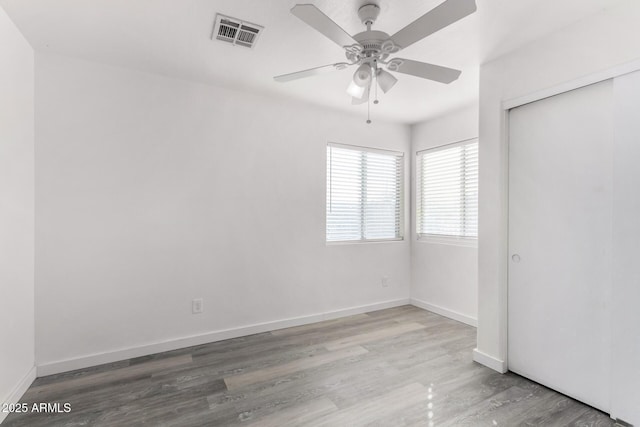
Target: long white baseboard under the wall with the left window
[[174, 344]]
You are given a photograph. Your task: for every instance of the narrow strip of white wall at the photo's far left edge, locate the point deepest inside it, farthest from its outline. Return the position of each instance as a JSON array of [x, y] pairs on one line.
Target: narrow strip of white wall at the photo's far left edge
[[16, 212]]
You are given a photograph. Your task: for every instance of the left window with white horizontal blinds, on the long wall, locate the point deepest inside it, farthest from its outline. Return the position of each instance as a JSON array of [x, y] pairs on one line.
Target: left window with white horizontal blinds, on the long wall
[[364, 194]]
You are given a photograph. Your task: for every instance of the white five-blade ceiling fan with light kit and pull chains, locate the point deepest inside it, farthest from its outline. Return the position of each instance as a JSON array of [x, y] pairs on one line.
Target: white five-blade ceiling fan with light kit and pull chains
[[370, 50]]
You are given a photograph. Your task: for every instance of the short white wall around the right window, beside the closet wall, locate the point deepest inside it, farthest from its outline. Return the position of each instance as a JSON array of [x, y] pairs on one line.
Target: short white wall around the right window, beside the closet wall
[[444, 277]]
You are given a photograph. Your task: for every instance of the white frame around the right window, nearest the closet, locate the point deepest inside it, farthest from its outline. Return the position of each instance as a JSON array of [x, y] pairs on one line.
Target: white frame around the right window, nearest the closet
[[465, 241]]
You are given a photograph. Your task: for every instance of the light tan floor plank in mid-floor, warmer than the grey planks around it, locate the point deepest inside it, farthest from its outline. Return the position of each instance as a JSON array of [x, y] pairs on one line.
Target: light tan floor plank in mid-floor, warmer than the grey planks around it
[[242, 380]]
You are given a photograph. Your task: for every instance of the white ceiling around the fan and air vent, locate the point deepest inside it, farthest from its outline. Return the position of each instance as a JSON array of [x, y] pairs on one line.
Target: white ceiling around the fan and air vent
[[172, 37]]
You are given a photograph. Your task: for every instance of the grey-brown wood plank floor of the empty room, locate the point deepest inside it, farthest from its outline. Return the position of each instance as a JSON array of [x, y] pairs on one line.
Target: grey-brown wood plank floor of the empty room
[[396, 367]]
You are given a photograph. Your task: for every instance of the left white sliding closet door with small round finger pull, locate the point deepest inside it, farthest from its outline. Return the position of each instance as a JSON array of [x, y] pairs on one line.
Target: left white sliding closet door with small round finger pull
[[560, 242]]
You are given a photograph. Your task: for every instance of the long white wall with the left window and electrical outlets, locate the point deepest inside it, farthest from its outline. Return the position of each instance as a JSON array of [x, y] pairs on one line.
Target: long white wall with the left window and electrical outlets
[[153, 191]]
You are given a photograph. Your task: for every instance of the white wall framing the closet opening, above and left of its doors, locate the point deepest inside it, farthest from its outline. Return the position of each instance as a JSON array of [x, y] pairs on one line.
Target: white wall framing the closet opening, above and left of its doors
[[592, 45]]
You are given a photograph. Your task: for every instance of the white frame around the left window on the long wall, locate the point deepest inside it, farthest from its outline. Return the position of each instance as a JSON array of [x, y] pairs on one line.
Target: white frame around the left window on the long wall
[[402, 200]]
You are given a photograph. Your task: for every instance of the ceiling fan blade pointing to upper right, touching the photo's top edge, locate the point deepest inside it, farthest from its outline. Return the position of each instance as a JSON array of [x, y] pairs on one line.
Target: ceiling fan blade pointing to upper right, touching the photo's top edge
[[436, 19]]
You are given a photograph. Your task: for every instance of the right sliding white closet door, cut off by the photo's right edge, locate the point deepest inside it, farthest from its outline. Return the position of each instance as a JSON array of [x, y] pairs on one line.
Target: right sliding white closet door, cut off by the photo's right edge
[[625, 402]]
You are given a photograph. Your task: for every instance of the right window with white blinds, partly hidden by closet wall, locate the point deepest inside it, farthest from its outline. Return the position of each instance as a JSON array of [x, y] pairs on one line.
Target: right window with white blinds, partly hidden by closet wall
[[447, 191]]
